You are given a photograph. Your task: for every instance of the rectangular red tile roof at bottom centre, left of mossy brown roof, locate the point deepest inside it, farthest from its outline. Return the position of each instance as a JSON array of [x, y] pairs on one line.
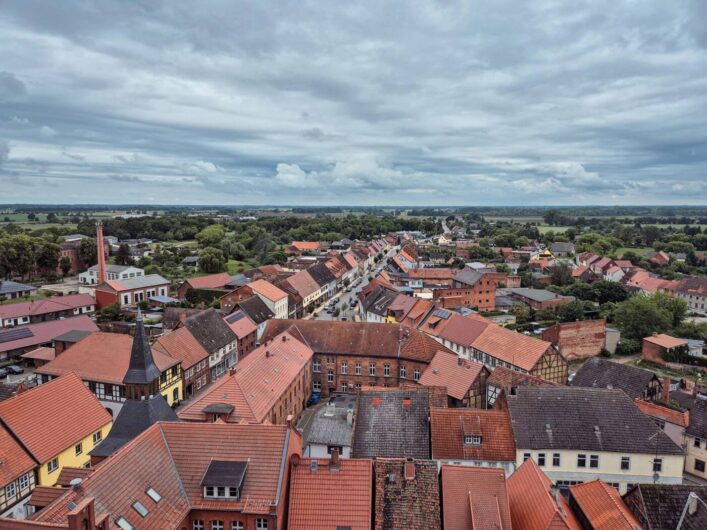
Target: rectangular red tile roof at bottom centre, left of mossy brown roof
[[327, 499]]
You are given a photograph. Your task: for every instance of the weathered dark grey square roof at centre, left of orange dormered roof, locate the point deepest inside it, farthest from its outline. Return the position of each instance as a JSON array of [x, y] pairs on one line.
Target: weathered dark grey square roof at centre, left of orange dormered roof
[[392, 424]]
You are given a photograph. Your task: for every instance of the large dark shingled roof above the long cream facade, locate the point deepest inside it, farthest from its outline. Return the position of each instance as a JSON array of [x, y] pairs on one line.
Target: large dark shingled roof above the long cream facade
[[589, 419]]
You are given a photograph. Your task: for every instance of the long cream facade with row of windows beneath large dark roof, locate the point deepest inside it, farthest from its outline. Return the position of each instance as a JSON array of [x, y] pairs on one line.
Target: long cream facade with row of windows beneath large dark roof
[[620, 470]]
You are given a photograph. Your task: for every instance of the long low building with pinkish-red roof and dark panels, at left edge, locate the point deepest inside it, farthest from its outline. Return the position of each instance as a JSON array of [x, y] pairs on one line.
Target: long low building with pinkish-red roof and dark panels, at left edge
[[16, 341]]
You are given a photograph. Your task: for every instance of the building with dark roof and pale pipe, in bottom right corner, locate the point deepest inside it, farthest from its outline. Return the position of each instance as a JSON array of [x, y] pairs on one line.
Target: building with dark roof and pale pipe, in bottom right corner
[[668, 506]]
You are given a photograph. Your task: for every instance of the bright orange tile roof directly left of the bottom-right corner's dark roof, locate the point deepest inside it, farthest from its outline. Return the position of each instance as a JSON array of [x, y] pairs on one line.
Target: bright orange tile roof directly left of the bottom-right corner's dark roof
[[603, 507]]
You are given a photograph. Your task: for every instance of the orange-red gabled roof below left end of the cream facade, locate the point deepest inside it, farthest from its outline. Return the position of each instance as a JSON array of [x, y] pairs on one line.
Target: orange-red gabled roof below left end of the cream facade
[[534, 505]]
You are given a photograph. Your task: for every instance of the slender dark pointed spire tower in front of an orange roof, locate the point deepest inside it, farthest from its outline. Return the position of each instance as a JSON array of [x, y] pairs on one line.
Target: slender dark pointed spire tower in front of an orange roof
[[142, 379]]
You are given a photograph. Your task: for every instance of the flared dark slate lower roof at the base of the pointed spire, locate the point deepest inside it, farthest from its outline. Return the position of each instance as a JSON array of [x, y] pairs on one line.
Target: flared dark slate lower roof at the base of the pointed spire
[[134, 418]]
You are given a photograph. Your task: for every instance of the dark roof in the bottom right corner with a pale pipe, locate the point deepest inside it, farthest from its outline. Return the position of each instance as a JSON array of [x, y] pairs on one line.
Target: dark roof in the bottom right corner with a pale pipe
[[665, 503]]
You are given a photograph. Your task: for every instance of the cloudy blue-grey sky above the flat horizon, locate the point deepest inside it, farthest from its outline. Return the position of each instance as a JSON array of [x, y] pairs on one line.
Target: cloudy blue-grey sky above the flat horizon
[[493, 102]]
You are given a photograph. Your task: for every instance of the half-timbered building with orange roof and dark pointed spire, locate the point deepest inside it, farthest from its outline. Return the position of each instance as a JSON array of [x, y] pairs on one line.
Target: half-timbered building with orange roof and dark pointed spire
[[116, 367]]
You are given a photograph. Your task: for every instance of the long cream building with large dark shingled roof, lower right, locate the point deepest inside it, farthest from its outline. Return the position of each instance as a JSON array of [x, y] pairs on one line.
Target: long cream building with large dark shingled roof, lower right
[[580, 434]]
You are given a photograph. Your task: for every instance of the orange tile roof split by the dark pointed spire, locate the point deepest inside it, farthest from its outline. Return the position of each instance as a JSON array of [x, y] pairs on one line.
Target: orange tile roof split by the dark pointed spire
[[101, 357]]
